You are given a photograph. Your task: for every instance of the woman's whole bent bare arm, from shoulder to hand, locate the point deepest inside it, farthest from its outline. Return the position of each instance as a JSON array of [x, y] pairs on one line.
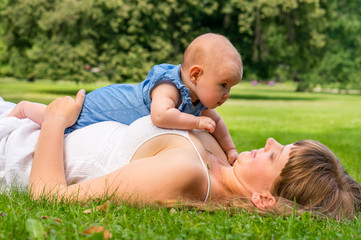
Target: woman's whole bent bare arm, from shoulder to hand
[[171, 174]]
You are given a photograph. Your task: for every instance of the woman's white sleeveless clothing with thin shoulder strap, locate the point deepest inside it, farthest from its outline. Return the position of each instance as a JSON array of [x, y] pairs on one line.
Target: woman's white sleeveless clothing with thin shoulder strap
[[90, 152]]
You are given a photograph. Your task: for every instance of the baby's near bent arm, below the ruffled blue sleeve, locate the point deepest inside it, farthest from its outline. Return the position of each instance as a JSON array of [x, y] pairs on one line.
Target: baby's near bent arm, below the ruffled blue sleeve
[[164, 113]]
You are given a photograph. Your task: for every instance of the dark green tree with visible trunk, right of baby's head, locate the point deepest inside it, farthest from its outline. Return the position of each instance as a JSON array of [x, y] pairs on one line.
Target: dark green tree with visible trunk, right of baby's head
[[284, 35]]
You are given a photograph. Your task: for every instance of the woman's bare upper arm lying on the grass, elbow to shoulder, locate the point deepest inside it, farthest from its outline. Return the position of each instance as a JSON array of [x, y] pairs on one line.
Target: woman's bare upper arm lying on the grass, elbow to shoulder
[[170, 175]]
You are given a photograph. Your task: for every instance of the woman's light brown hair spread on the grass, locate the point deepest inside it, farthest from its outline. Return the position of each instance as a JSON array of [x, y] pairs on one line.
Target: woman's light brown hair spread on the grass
[[314, 179]]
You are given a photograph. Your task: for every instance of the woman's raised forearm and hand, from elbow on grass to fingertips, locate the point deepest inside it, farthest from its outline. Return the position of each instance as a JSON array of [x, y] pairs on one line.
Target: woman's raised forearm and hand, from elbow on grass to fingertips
[[47, 171]]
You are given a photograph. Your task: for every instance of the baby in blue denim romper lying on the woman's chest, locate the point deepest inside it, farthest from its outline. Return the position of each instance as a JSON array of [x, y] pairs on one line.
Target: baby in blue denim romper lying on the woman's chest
[[176, 96]]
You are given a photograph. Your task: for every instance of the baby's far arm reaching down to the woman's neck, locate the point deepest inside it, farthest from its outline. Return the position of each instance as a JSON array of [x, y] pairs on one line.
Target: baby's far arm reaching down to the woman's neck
[[222, 135]]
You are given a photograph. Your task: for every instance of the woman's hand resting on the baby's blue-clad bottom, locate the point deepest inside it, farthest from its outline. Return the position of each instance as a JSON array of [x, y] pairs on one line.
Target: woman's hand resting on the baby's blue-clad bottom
[[65, 110]]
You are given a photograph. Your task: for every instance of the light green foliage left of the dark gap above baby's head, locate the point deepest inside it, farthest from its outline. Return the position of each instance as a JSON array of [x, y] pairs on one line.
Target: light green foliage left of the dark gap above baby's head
[[122, 38]]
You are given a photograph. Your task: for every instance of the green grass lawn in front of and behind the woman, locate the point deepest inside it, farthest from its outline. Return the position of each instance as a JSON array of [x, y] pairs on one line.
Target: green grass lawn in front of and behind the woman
[[253, 114]]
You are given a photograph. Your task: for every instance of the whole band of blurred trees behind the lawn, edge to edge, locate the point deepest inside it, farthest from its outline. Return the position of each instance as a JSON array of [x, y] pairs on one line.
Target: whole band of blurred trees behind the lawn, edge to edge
[[314, 43]]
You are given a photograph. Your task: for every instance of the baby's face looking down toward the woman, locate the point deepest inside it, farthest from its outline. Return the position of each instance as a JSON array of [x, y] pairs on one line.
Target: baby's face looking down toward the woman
[[213, 87]]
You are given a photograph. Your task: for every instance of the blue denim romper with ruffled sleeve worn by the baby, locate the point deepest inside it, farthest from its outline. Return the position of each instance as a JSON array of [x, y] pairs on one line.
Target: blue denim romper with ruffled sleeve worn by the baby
[[125, 103]]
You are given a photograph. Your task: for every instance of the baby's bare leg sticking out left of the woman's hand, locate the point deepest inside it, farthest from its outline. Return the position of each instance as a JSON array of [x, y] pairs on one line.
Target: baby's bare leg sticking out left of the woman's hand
[[25, 109]]
